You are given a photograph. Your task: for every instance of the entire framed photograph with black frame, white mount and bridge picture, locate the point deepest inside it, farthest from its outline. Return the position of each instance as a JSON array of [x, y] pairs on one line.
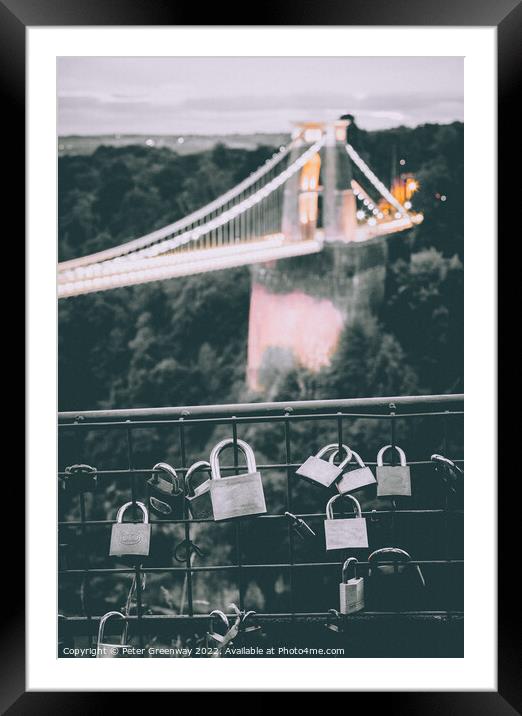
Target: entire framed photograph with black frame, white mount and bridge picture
[[261, 261]]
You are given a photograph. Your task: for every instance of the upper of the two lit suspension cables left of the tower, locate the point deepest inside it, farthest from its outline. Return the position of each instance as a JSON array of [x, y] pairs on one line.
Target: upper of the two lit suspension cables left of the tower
[[181, 224]]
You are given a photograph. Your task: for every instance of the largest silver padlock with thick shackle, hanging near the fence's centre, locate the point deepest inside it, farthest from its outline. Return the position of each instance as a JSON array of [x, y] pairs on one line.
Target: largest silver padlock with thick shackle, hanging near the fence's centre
[[238, 495]]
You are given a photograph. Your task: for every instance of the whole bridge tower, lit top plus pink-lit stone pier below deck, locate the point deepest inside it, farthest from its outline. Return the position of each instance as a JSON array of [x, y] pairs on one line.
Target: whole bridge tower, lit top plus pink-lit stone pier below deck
[[299, 307]]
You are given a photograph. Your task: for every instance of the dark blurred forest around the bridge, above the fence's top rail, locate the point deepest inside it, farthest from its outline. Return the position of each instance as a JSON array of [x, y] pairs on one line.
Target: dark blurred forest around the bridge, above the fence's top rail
[[183, 341]]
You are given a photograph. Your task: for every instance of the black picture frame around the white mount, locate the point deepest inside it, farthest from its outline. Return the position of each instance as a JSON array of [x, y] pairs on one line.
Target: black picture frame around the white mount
[[506, 15]]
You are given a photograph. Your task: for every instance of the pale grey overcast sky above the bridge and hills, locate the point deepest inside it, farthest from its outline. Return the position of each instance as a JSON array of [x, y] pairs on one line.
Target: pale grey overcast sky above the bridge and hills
[[223, 95]]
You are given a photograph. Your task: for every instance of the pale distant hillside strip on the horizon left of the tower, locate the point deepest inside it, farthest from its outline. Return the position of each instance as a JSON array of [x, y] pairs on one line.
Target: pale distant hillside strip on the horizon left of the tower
[[186, 144]]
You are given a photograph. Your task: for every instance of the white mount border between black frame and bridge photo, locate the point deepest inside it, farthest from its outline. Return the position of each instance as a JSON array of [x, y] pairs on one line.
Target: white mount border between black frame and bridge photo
[[477, 670]]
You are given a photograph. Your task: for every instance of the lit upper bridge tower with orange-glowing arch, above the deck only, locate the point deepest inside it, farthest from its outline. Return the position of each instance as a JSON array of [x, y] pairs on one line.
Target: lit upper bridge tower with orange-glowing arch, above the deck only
[[320, 196]]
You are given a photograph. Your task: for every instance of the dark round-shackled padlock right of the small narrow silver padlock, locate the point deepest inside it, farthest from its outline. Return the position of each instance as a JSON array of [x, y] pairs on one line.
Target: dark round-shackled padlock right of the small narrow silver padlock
[[393, 582]]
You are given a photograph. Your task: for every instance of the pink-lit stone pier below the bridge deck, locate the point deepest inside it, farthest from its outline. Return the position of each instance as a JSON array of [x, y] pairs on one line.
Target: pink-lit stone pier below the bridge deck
[[299, 307]]
